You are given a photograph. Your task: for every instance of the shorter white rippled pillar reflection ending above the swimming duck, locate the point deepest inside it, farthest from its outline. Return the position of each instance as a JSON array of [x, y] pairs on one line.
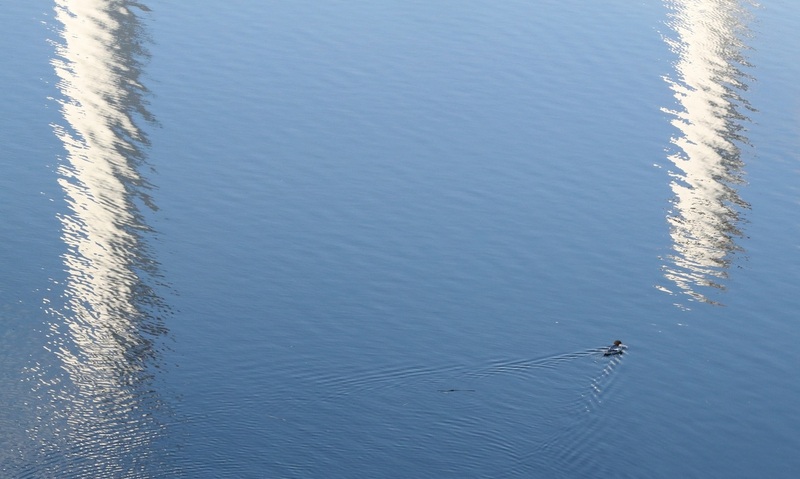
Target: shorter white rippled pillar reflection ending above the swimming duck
[[708, 84]]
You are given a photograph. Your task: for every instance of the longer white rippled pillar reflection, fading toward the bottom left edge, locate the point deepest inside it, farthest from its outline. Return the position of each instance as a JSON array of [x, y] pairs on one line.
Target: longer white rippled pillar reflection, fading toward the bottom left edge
[[104, 416]]
